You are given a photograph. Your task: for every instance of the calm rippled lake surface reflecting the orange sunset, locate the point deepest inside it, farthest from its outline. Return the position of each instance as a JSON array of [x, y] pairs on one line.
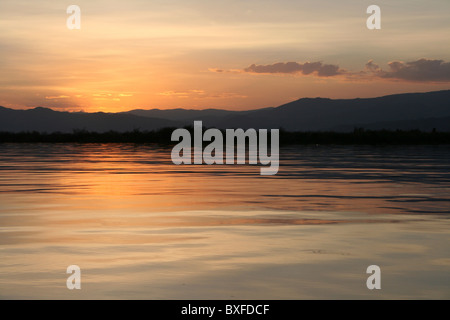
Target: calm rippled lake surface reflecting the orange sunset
[[140, 227]]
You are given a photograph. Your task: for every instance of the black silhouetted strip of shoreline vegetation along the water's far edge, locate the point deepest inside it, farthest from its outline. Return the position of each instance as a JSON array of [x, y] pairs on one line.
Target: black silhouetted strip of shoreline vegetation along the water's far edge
[[163, 136]]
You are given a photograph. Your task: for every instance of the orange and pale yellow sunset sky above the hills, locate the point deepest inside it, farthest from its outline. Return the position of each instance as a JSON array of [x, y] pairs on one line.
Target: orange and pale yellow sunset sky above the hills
[[234, 54]]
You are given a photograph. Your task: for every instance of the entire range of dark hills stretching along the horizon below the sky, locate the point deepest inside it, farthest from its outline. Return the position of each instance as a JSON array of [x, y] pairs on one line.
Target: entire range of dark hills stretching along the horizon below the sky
[[423, 111]]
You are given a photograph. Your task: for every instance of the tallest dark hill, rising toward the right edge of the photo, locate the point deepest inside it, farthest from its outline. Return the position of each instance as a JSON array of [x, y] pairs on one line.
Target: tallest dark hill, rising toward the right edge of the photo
[[319, 114]]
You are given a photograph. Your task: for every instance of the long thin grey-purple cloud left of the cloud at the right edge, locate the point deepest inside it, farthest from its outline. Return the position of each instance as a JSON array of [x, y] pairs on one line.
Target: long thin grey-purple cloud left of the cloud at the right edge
[[307, 68]]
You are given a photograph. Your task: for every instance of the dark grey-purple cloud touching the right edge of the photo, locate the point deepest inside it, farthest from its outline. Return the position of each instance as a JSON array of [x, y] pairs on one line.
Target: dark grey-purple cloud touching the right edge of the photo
[[422, 70]]
